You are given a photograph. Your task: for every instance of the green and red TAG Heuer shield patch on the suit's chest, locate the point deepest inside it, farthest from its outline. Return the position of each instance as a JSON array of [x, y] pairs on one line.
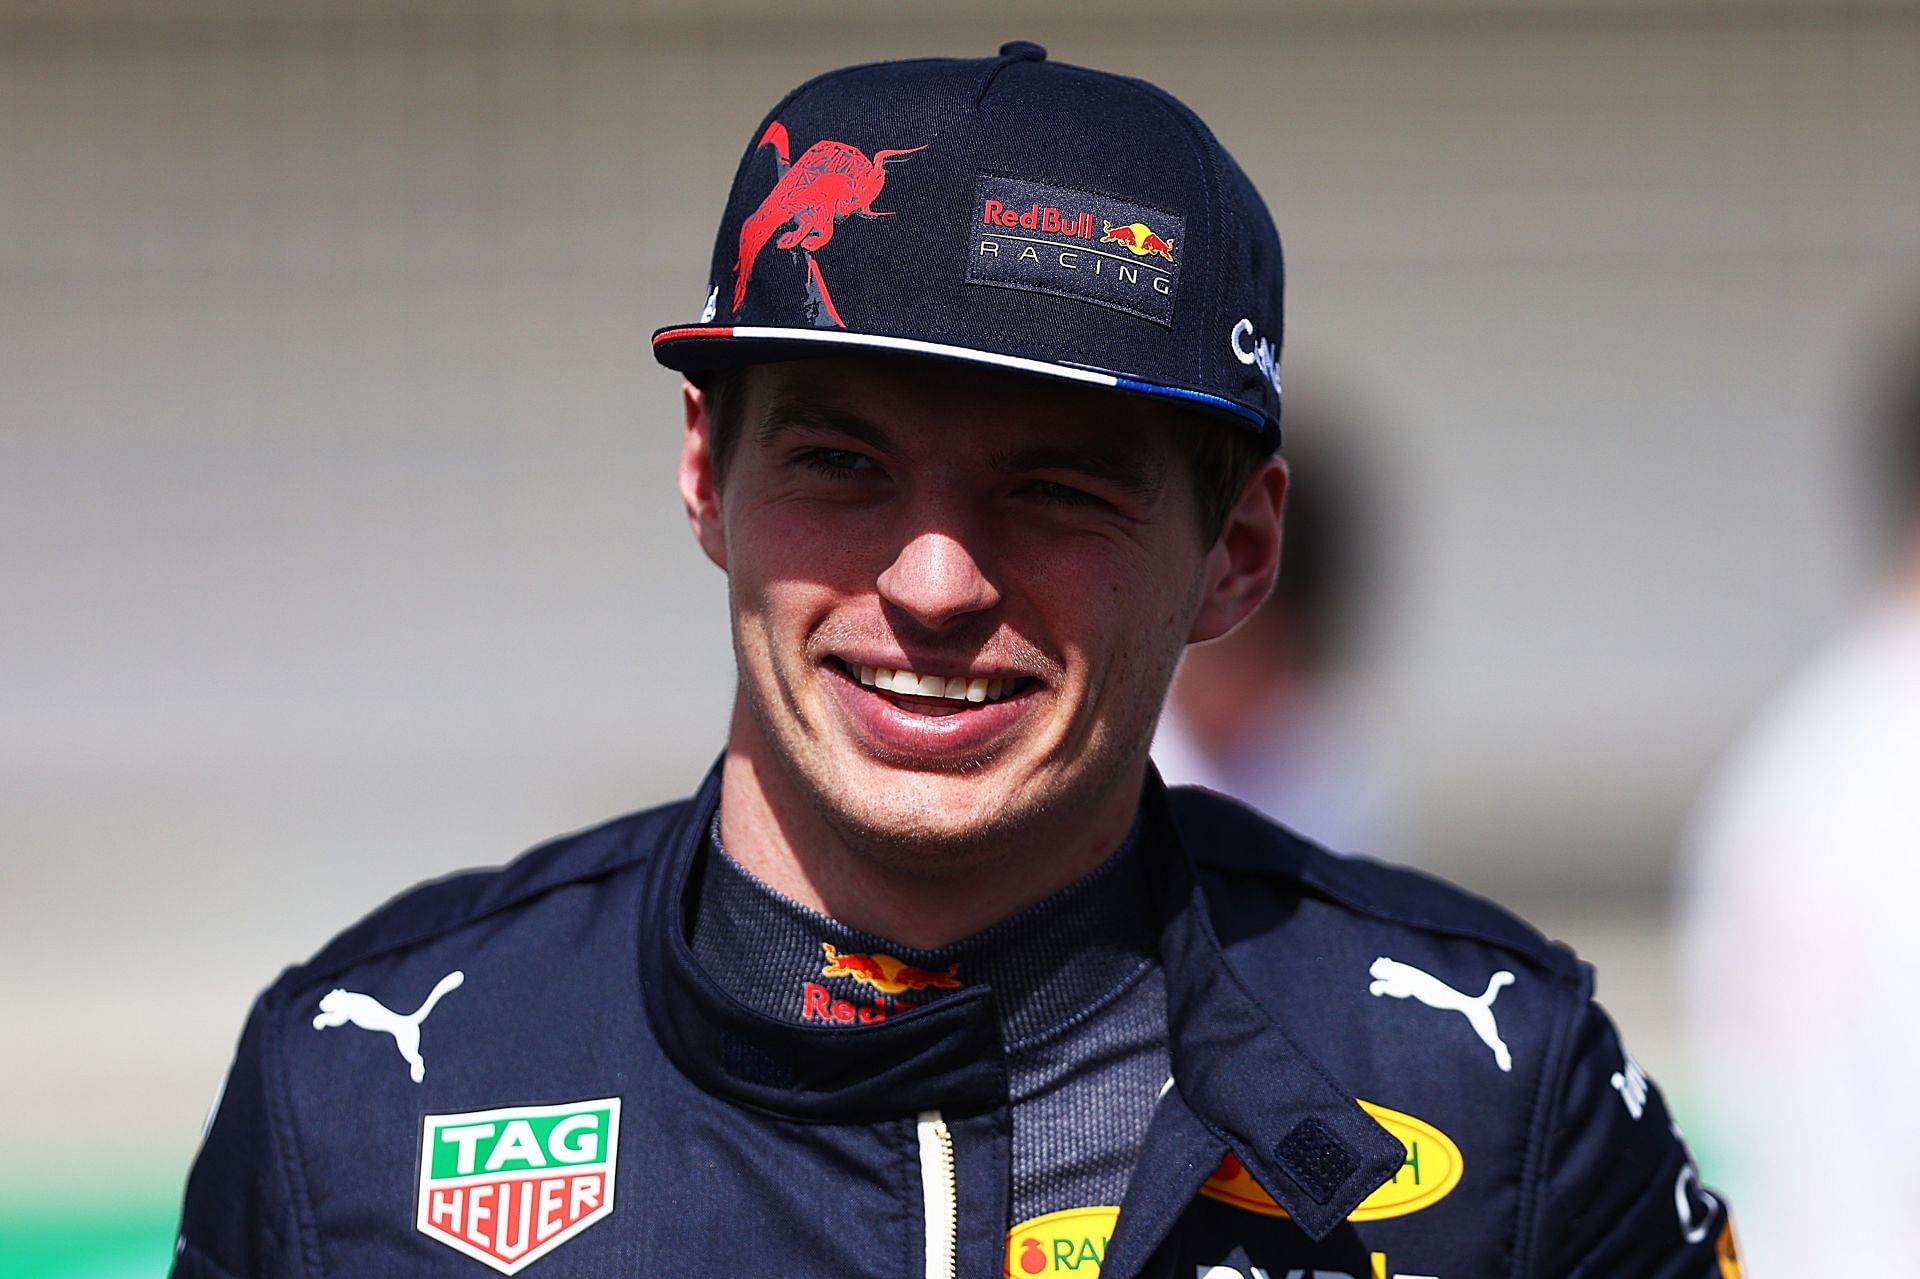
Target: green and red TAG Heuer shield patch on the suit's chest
[[512, 1186]]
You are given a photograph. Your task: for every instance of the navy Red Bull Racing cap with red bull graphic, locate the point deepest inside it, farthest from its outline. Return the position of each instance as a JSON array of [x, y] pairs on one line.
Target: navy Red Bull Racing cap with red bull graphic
[[1007, 212]]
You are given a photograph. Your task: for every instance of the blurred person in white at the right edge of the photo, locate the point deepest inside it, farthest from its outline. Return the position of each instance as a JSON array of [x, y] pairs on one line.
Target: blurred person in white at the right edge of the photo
[[1798, 905]]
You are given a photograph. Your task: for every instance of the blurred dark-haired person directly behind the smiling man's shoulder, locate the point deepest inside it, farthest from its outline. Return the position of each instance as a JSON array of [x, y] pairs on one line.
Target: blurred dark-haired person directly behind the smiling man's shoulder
[[1272, 713]]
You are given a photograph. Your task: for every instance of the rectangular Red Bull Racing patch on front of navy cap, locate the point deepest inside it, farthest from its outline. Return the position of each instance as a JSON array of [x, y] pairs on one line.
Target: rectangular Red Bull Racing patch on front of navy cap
[[1076, 245]]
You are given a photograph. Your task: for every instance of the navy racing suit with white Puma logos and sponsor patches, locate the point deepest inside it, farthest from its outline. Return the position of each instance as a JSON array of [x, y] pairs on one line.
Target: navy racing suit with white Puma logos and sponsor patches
[[1376, 1076]]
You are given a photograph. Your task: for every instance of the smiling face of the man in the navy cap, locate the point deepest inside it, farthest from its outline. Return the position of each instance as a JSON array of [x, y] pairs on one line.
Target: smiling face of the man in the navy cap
[[957, 598]]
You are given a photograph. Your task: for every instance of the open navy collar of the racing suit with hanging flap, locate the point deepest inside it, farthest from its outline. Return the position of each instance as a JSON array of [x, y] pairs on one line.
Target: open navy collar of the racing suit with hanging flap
[[1239, 1080]]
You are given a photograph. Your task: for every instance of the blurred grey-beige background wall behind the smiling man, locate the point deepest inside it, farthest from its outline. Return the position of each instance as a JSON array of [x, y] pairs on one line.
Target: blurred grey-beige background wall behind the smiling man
[[339, 531]]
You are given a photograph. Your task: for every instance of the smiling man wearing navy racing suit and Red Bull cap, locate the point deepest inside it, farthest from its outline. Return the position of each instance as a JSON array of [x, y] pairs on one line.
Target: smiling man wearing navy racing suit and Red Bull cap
[[934, 977]]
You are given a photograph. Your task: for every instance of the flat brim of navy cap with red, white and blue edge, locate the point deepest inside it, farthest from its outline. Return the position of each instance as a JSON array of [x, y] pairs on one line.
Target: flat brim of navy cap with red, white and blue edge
[[708, 349]]
